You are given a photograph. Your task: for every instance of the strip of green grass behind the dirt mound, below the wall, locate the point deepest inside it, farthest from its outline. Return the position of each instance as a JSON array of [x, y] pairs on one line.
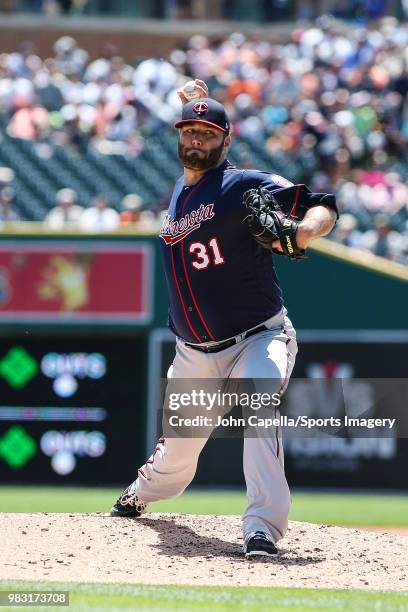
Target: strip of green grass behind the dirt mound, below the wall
[[328, 508]]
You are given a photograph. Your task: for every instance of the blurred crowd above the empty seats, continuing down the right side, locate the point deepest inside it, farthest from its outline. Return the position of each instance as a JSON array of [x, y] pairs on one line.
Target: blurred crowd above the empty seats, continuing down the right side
[[337, 96]]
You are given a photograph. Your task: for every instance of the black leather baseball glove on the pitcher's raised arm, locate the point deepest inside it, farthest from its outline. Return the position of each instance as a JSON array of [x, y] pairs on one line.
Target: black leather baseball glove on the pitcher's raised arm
[[267, 223]]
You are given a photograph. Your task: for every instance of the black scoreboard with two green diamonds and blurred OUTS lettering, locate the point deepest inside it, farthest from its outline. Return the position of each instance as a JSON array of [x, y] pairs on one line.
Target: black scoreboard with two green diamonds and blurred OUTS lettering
[[71, 408]]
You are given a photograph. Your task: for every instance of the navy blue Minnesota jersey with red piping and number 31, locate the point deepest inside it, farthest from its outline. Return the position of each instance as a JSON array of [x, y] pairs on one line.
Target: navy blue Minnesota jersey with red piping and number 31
[[221, 282]]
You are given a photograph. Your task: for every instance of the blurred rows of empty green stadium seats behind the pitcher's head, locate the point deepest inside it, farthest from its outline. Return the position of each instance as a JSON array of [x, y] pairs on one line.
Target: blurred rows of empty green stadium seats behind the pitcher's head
[[42, 169]]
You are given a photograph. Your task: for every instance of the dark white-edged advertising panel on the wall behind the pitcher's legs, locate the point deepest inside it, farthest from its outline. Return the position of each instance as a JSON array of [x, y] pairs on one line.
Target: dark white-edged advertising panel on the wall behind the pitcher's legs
[[324, 369]]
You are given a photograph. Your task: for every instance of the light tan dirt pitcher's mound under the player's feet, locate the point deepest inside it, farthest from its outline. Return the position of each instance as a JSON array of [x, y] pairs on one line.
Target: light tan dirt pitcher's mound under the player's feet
[[185, 549]]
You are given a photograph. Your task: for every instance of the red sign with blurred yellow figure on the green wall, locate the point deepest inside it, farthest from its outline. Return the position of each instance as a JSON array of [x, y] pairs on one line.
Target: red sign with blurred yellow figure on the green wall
[[76, 281]]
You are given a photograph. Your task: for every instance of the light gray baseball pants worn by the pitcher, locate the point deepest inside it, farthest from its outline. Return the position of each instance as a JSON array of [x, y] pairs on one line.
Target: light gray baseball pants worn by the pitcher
[[268, 355]]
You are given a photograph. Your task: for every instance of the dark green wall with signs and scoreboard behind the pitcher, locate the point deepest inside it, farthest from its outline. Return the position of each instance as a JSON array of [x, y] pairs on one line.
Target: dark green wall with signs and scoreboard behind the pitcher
[[82, 322]]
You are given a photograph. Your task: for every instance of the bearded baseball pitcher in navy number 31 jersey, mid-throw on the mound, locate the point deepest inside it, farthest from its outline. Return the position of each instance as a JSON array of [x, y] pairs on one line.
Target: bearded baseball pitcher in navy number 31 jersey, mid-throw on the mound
[[223, 228]]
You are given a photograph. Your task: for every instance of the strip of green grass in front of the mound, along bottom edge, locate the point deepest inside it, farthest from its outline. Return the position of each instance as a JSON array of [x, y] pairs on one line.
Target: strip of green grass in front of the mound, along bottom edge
[[103, 597]]
